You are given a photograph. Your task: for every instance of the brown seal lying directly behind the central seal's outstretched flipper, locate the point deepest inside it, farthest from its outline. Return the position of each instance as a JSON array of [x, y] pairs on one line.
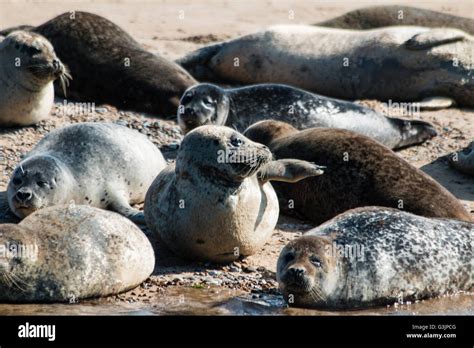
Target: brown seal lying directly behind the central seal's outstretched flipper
[[360, 172]]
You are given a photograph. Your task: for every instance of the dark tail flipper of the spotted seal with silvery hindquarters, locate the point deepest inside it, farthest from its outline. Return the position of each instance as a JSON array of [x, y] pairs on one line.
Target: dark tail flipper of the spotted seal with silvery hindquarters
[[413, 132]]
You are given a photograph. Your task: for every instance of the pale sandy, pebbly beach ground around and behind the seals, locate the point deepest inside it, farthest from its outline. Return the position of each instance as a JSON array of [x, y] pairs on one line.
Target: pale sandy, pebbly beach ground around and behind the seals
[[161, 28]]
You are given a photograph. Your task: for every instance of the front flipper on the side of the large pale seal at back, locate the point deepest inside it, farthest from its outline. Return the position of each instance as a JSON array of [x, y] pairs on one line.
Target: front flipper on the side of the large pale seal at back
[[435, 37]]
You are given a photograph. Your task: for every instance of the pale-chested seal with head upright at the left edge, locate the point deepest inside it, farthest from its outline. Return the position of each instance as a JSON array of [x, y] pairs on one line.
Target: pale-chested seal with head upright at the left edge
[[28, 67]]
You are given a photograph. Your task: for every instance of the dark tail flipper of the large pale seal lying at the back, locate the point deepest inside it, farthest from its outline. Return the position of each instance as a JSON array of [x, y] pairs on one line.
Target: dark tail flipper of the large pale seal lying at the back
[[196, 63]]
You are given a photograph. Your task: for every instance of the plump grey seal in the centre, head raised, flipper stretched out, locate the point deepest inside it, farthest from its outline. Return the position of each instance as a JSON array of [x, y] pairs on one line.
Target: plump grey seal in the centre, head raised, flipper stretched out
[[216, 203]]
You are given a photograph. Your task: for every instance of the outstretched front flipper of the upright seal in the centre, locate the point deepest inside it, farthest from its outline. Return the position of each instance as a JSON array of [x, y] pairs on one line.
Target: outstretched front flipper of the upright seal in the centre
[[289, 170]]
